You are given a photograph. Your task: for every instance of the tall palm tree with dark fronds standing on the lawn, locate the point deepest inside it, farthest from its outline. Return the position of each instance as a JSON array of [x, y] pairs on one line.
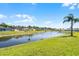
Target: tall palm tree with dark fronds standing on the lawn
[[70, 18]]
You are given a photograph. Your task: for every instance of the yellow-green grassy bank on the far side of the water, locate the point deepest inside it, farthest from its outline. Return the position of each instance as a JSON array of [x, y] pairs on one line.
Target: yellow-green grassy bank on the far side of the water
[[14, 33]]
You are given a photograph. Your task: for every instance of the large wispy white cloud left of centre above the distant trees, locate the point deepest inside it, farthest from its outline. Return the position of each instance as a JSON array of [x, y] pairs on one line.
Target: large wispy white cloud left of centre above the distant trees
[[23, 19]]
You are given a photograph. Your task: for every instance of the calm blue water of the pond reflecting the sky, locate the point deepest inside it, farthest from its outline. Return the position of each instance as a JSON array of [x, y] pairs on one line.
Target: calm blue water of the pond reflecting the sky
[[10, 41]]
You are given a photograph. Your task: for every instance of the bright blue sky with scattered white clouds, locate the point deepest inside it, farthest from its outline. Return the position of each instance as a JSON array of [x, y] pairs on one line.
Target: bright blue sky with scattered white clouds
[[38, 14]]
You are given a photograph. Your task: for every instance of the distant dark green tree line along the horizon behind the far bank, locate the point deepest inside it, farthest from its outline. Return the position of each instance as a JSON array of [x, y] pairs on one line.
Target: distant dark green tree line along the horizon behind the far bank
[[4, 25]]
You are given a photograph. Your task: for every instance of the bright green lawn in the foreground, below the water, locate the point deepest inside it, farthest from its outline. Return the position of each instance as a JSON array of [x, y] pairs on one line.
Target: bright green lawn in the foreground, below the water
[[57, 46]]
